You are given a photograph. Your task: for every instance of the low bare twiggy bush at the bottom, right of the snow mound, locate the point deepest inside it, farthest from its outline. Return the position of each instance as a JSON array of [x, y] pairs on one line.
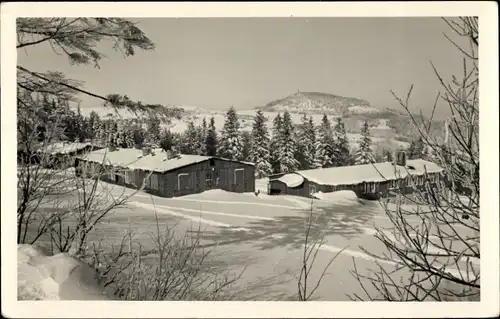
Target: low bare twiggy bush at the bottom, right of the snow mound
[[174, 269]]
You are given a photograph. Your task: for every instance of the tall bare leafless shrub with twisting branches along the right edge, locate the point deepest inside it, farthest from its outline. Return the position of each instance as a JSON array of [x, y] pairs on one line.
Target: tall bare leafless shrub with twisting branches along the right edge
[[433, 241]]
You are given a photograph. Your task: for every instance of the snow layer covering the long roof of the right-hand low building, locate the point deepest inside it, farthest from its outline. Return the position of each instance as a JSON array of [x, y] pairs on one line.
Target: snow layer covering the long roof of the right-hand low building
[[356, 174]]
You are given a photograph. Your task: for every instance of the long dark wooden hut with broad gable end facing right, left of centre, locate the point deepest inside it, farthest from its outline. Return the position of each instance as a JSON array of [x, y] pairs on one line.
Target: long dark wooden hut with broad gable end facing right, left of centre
[[167, 174]]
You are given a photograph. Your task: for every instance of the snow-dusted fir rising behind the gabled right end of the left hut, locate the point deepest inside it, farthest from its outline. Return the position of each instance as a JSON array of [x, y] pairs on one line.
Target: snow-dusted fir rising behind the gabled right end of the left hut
[[231, 146]]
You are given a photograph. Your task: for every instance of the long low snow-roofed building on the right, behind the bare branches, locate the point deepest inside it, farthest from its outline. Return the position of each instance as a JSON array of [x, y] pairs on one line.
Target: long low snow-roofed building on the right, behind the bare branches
[[368, 181]]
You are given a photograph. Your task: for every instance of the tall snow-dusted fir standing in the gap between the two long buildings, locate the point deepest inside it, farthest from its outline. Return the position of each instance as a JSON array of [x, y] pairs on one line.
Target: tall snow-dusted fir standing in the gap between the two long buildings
[[259, 152]]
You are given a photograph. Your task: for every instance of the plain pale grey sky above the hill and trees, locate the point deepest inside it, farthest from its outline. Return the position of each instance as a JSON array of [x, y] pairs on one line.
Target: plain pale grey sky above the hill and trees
[[247, 62]]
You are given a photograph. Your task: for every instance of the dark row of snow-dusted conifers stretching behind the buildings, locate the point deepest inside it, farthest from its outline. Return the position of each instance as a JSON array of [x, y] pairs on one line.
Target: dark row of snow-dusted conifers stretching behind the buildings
[[274, 147]]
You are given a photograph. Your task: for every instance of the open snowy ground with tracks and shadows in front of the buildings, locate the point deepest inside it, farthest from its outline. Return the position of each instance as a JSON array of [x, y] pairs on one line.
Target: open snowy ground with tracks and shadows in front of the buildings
[[263, 235]]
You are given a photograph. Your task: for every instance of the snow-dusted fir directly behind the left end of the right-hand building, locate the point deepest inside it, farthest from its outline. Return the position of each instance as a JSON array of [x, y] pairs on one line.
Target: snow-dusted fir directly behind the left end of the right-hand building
[[287, 147]]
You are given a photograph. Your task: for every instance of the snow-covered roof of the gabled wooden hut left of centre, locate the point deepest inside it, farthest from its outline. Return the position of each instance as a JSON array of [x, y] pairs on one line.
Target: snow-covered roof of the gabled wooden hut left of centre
[[133, 158]]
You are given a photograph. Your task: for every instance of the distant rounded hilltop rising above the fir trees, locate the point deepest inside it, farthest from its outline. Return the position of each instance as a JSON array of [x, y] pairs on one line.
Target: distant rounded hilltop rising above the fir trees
[[320, 102]]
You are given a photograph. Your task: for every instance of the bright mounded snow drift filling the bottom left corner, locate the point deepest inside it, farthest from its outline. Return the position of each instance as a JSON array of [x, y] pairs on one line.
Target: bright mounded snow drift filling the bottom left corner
[[42, 276]]
